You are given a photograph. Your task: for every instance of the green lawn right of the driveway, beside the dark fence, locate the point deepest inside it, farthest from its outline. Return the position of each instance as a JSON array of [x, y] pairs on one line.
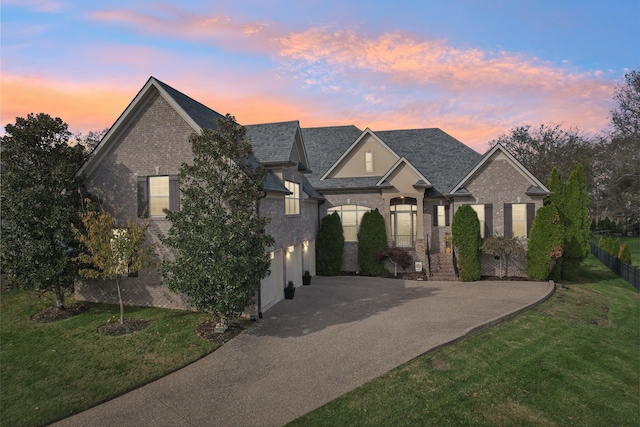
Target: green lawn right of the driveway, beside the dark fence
[[572, 360]]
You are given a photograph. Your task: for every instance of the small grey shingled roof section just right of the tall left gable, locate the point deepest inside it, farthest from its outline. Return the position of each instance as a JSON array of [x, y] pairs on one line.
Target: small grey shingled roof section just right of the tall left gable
[[272, 142]]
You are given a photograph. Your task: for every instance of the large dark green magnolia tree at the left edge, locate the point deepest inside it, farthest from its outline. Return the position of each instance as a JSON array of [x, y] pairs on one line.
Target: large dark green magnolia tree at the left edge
[[39, 198]]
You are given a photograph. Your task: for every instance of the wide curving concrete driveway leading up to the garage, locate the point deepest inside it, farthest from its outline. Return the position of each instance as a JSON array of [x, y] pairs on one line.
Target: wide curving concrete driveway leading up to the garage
[[334, 336]]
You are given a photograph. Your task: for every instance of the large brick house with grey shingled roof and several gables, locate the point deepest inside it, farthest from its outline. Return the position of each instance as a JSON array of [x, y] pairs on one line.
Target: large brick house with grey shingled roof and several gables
[[416, 178]]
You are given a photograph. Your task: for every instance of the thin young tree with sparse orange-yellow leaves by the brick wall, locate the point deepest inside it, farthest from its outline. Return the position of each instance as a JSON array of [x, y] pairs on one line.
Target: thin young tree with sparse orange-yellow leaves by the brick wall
[[110, 252]]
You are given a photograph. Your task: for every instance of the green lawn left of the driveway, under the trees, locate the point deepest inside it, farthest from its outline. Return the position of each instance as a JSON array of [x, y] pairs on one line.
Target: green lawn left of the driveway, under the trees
[[49, 371]]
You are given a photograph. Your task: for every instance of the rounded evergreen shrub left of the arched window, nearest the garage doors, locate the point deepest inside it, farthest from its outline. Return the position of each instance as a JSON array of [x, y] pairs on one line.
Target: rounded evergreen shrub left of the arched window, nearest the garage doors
[[330, 246]]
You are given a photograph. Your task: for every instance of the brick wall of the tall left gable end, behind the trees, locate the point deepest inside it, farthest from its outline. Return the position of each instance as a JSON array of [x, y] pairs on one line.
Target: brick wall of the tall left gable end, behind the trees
[[156, 142]]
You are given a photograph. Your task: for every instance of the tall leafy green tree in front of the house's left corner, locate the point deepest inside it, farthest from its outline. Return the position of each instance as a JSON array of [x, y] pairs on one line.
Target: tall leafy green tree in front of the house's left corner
[[218, 233]]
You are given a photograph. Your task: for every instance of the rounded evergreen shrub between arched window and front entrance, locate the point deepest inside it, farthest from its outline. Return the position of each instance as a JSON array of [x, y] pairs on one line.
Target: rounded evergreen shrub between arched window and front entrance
[[372, 237]]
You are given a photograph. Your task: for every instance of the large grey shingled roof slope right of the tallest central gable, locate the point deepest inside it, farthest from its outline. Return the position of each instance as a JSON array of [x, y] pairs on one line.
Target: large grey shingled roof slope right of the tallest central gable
[[441, 158]]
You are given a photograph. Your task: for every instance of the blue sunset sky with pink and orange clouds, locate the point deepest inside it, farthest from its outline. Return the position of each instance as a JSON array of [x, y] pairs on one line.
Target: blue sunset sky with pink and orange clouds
[[474, 69]]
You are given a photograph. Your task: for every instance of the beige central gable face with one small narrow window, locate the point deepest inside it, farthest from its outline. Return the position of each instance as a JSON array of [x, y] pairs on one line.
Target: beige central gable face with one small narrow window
[[367, 150]]
